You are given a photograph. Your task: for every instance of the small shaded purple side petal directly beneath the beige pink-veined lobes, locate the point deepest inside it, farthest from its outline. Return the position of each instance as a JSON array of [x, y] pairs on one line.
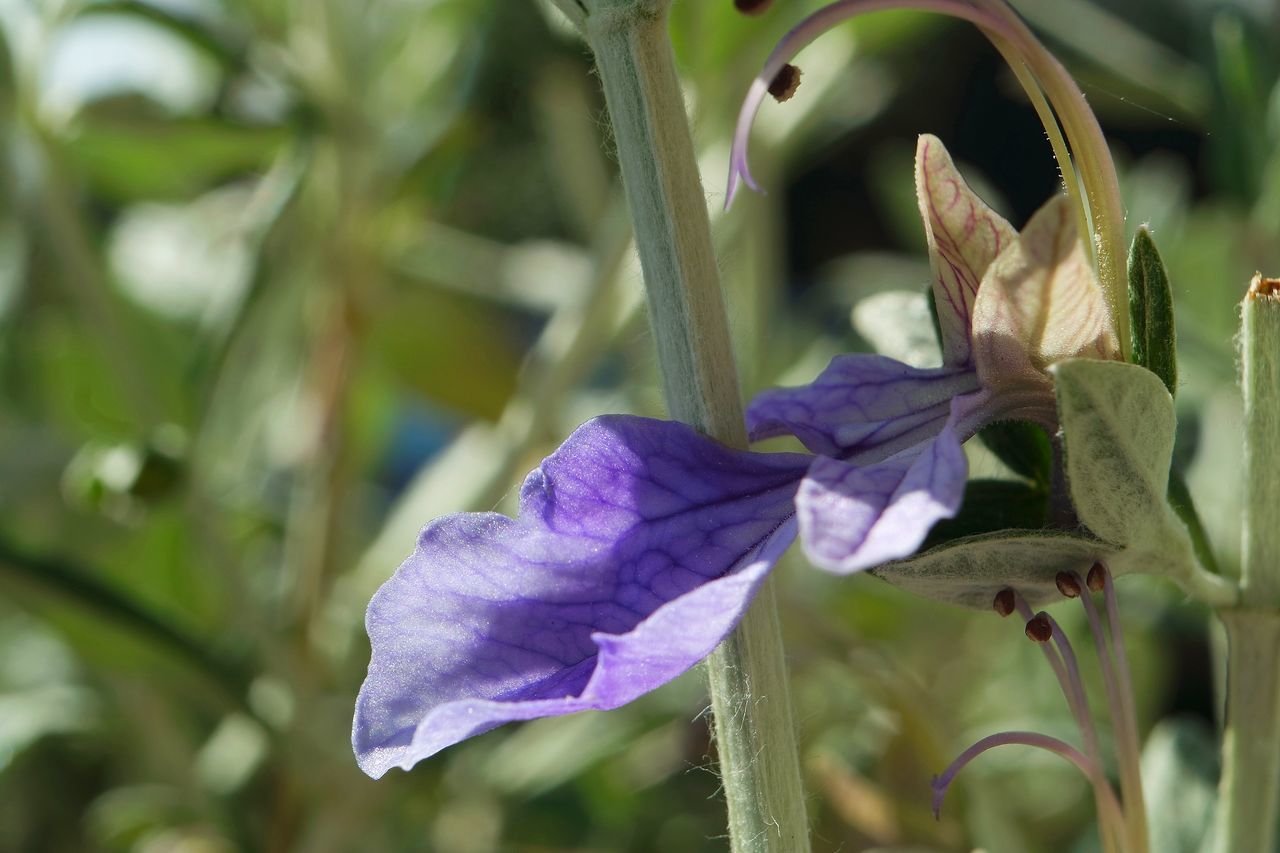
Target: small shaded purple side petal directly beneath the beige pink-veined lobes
[[862, 408]]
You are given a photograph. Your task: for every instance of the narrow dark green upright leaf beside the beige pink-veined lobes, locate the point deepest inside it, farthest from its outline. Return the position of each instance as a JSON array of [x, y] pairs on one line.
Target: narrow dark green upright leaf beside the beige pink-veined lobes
[[1151, 312]]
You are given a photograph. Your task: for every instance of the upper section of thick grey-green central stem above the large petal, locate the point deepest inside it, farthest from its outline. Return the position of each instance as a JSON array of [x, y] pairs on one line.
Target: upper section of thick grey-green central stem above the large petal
[[669, 207]]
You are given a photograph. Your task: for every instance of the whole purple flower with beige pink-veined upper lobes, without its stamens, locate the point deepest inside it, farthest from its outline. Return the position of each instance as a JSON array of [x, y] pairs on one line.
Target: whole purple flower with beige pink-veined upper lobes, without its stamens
[[641, 544]]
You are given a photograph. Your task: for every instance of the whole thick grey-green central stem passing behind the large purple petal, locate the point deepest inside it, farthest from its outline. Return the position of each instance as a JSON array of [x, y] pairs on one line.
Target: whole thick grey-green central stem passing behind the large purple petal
[[755, 727]]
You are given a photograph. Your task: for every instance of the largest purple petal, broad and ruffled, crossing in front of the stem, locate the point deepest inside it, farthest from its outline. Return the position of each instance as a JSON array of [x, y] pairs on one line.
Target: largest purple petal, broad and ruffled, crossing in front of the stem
[[638, 548]]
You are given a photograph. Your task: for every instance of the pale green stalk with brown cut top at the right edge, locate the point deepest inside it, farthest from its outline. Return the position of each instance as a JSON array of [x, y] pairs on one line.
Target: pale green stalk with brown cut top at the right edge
[[1250, 792]]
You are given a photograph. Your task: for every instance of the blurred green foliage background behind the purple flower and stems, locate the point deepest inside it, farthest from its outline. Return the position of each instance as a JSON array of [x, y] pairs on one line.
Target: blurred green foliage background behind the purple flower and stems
[[282, 280]]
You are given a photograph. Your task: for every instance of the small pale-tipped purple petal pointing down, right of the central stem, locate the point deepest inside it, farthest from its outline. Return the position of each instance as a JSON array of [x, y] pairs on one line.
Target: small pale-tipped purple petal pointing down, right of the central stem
[[854, 518]]
